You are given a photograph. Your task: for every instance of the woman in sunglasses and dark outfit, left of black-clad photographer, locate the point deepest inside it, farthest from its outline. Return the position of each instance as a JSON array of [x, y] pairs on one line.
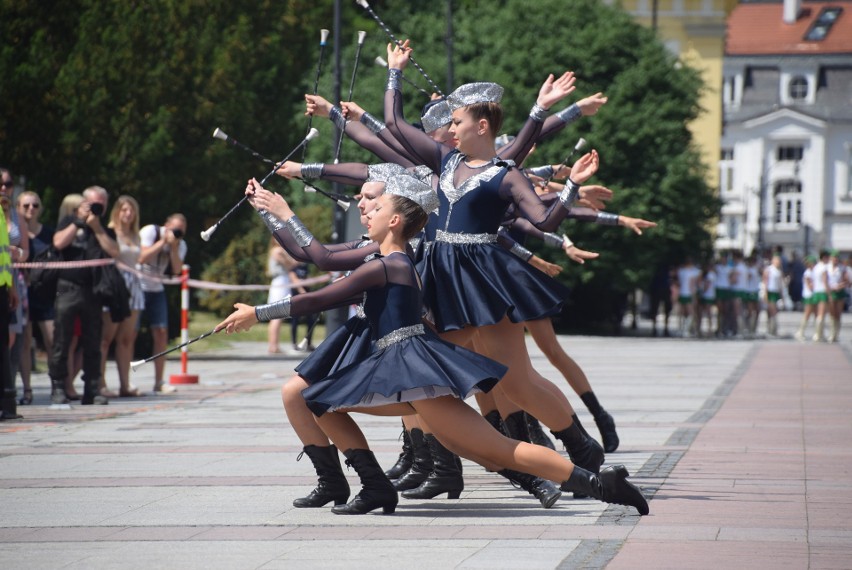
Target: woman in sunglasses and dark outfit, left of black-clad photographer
[[40, 306]]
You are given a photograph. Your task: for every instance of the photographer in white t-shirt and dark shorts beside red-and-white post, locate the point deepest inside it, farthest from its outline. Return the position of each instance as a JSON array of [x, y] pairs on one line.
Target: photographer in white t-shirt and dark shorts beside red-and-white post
[[163, 249]]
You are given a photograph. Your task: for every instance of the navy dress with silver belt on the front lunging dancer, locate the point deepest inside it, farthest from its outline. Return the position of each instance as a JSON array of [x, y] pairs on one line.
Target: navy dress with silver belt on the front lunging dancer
[[409, 362]]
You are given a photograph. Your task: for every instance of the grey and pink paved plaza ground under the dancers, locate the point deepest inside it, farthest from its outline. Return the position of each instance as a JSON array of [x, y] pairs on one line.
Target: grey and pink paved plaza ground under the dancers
[[742, 445]]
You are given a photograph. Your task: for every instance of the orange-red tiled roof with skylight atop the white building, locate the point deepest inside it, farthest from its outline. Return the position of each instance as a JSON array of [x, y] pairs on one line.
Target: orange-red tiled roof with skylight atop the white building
[[758, 28]]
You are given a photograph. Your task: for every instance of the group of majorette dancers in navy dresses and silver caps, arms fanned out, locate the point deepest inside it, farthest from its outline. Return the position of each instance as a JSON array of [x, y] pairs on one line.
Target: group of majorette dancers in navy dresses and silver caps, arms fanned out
[[442, 317]]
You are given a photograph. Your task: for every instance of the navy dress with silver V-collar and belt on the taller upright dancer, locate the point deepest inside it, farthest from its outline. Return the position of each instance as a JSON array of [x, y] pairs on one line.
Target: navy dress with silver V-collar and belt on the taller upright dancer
[[468, 279]]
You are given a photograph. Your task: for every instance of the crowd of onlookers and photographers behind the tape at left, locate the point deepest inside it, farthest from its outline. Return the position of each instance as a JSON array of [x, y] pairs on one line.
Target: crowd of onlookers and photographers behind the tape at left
[[78, 310]]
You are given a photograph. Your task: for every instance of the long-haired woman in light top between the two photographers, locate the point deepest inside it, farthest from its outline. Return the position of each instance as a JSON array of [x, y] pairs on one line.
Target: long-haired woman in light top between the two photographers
[[124, 220]]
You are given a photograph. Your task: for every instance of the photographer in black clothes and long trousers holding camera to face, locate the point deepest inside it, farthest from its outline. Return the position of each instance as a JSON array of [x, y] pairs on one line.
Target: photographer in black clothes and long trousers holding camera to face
[[79, 237]]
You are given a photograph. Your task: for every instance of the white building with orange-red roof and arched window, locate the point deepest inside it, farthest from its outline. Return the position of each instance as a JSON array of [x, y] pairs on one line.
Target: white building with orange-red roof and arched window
[[786, 158]]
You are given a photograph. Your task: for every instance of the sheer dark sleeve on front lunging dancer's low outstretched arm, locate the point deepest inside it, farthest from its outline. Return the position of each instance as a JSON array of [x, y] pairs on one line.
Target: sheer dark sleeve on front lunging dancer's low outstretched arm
[[342, 292]]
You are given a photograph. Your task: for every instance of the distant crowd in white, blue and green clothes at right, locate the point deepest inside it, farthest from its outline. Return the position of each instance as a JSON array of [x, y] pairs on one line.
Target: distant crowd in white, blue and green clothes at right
[[725, 298]]
